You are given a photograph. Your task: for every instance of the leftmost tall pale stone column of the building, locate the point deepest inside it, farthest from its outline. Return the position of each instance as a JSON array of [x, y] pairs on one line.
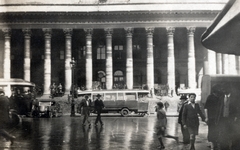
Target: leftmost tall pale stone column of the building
[[7, 54]]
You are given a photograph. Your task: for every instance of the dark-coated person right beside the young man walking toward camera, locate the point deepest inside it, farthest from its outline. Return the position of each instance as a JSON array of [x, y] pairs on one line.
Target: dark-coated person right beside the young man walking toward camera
[[212, 111]]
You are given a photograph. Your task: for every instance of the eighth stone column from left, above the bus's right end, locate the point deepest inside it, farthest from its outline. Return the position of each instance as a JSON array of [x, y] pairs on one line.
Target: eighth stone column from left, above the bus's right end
[[150, 65]]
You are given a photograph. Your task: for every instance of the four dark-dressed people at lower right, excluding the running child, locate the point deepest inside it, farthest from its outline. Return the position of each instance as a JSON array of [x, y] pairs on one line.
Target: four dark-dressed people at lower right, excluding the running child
[[221, 114]]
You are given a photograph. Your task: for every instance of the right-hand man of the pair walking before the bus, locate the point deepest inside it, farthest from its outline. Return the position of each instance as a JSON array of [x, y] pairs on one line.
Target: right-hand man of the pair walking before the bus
[[98, 108]]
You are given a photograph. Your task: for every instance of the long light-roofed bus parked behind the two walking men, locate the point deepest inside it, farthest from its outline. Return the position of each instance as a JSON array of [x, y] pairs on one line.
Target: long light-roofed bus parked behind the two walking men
[[120, 101]]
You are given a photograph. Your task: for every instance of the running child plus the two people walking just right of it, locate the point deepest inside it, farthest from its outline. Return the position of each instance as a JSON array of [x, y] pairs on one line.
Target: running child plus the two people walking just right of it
[[188, 119]]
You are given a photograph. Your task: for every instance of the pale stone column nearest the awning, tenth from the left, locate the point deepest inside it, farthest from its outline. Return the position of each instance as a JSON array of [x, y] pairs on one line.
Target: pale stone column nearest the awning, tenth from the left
[[191, 59]]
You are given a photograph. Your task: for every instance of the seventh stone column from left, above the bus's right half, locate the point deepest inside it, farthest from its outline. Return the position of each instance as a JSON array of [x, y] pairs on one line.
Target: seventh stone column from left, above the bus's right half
[[129, 57]]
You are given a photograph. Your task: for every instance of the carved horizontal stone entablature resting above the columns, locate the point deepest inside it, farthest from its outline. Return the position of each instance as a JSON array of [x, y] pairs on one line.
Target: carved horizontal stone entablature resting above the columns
[[110, 19]]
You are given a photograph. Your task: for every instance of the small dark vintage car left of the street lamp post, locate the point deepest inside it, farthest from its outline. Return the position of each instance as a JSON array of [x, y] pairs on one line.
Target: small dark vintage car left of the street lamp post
[[46, 108]]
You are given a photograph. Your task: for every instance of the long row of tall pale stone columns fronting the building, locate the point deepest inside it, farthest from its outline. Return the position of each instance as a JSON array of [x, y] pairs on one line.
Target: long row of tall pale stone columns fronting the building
[[221, 60]]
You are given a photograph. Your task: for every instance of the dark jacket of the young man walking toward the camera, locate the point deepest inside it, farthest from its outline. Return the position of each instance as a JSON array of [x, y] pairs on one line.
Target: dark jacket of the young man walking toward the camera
[[190, 115]]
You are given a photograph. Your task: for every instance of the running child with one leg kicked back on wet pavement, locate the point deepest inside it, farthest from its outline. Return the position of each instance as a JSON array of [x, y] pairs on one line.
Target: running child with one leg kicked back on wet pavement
[[161, 124]]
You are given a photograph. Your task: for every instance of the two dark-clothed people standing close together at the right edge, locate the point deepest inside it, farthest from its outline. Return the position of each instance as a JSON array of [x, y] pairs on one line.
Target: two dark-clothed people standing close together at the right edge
[[222, 111]]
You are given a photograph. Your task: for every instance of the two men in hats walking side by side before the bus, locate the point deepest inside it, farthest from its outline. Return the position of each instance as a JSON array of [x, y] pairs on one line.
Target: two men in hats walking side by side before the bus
[[86, 106]]
